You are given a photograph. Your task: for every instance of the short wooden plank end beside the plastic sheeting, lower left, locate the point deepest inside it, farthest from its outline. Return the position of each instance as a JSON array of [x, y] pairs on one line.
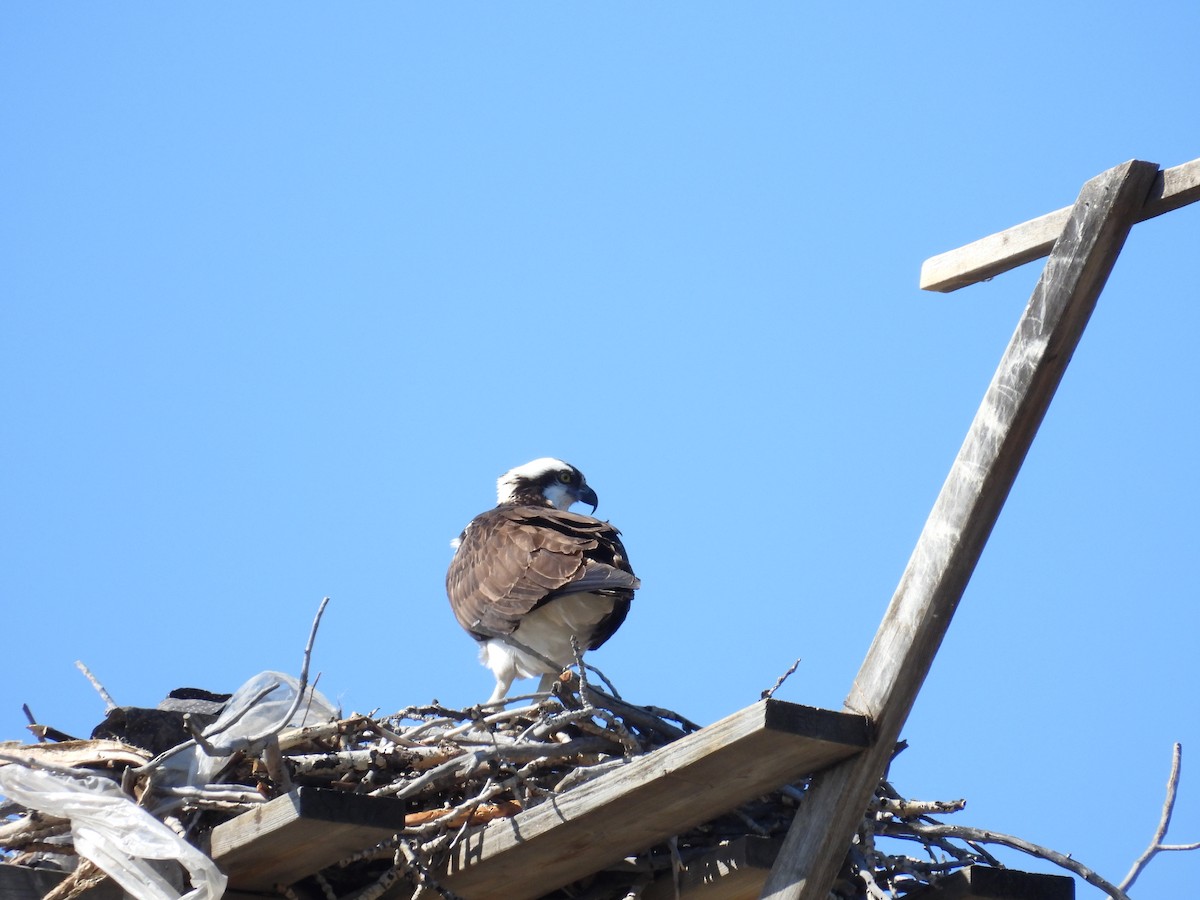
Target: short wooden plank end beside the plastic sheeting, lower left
[[301, 833]]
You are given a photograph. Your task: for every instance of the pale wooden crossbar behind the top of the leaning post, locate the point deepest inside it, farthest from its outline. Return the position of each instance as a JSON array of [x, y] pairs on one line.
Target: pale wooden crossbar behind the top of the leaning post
[[1031, 241]]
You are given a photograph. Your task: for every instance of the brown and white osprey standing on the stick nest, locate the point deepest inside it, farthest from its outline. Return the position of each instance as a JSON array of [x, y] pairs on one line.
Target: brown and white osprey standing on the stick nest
[[529, 575]]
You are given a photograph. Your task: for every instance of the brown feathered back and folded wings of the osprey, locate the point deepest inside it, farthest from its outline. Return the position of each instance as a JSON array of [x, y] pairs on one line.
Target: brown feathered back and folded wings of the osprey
[[514, 559]]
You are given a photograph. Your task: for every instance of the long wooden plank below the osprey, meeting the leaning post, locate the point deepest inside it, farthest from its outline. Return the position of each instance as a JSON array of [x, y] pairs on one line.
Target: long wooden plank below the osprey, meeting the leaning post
[[657, 796]]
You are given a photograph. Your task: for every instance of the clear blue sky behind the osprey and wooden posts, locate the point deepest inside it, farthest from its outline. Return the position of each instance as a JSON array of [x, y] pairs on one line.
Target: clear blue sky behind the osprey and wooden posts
[[287, 286]]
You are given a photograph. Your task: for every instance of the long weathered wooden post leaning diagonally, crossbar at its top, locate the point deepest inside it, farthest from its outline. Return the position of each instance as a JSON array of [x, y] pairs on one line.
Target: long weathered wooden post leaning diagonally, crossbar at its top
[[962, 519]]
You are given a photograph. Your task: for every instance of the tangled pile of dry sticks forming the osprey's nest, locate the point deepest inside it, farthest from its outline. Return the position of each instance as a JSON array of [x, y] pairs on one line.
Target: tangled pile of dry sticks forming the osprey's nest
[[458, 769]]
